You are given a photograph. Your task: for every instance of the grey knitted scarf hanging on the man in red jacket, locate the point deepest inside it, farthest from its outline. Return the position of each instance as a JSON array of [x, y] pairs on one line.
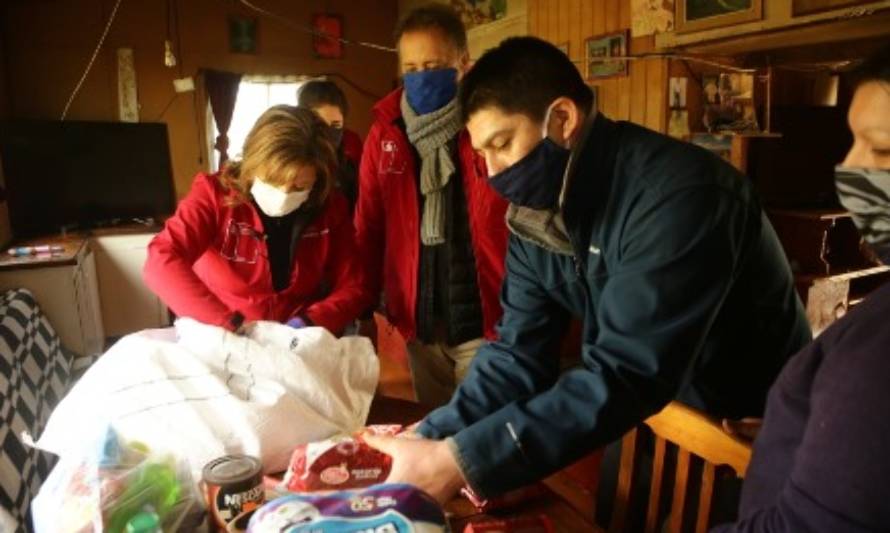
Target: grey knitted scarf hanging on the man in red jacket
[[430, 135]]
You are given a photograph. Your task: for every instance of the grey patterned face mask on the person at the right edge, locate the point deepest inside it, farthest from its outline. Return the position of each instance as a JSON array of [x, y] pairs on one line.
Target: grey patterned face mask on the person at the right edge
[[865, 193]]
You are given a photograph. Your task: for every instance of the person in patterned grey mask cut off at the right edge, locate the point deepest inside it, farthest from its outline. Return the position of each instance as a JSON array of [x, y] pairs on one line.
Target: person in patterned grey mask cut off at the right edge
[[820, 461]]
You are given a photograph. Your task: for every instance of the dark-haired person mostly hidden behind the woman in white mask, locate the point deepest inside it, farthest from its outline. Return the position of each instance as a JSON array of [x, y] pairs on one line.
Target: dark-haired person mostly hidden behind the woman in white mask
[[326, 99]]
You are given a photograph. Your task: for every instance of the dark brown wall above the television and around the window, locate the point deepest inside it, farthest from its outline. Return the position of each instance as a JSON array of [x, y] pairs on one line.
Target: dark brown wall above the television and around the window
[[49, 44]]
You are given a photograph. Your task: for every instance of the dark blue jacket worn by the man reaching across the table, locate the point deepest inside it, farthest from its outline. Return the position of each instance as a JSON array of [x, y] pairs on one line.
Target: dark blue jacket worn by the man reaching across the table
[[683, 291]]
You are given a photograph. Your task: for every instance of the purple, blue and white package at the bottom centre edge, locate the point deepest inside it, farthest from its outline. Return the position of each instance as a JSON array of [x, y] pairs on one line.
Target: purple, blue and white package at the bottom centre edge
[[386, 508]]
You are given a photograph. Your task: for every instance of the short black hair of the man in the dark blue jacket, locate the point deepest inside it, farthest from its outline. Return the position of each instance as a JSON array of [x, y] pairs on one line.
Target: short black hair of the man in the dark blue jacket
[[522, 75]]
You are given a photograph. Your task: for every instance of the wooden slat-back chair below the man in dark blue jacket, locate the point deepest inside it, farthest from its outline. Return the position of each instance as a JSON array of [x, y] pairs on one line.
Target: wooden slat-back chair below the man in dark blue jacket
[[688, 432]]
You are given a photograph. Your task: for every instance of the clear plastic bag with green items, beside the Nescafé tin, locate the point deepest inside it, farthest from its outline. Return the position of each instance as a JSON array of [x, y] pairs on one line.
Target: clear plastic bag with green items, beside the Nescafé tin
[[118, 487]]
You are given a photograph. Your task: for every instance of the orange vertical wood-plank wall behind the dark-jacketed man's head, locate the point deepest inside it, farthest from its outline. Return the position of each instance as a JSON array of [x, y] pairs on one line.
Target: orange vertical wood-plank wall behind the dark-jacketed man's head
[[640, 96]]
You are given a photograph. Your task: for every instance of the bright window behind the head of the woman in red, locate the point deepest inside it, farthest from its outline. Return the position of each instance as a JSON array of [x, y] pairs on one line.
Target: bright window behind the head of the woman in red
[[255, 95]]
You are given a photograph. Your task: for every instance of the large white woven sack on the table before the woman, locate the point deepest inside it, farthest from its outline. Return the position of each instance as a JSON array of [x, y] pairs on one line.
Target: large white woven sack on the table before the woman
[[202, 392]]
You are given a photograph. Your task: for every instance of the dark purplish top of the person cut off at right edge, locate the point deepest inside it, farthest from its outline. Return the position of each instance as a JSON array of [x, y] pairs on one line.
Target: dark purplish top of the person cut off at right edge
[[822, 460]]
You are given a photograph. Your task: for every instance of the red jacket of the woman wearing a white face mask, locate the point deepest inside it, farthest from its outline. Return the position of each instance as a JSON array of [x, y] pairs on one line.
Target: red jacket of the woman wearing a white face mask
[[210, 260]]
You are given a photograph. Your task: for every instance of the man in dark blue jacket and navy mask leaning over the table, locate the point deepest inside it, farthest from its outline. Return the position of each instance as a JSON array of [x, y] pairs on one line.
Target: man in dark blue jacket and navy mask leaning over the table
[[660, 248]]
